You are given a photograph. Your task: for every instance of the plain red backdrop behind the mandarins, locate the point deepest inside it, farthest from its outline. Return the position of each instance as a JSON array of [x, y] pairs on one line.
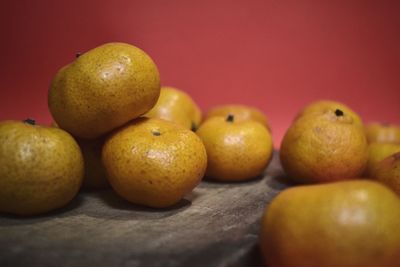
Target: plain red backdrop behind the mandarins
[[276, 55]]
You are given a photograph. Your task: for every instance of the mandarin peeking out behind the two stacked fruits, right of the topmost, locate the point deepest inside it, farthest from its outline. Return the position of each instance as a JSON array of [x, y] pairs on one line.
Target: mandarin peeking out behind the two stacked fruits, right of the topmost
[[176, 106]]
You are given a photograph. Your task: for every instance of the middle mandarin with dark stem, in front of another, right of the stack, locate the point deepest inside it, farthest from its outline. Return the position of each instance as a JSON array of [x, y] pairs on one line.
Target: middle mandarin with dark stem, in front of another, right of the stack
[[236, 151]]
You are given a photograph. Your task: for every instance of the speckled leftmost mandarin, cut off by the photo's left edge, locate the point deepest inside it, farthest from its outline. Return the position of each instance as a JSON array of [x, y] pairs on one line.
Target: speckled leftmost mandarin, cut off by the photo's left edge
[[41, 168]]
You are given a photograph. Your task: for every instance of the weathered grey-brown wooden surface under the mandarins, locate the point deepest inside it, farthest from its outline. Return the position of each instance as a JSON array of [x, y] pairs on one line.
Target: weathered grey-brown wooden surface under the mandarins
[[216, 225]]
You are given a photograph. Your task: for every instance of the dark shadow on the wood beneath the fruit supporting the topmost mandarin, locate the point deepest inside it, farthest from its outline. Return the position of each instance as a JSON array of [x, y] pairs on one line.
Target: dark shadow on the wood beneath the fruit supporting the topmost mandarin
[[106, 204]]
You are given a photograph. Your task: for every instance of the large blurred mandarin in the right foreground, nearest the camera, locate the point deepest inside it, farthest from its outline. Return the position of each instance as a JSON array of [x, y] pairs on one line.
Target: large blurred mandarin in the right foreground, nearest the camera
[[341, 224]]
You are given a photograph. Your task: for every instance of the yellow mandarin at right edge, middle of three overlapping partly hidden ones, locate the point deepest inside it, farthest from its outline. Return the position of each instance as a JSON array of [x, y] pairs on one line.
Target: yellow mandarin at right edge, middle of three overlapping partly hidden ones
[[377, 152]]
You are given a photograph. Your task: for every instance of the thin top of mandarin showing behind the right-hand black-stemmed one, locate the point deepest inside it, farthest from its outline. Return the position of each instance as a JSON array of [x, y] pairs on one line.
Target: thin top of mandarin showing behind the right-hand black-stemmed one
[[329, 105]]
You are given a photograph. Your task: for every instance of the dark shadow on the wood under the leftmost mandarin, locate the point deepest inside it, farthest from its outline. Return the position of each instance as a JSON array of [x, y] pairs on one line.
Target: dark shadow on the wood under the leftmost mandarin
[[71, 209]]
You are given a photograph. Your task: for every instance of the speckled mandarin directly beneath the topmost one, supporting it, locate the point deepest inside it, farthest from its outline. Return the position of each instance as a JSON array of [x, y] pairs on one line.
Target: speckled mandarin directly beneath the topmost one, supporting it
[[154, 162]]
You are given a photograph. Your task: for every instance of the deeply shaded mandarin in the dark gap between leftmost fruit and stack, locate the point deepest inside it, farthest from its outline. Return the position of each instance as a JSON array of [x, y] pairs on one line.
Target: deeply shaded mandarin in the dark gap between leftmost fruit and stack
[[95, 175]]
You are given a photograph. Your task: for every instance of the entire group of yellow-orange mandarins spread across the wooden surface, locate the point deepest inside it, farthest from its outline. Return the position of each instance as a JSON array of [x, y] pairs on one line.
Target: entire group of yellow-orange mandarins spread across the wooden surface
[[116, 126]]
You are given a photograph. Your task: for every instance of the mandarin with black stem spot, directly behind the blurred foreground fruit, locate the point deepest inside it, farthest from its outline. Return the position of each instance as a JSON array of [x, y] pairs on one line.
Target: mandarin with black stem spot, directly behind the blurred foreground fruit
[[324, 147]]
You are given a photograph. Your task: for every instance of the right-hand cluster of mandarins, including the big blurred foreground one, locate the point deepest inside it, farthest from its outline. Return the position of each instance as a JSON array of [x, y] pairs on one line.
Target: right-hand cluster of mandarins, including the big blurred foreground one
[[341, 220]]
